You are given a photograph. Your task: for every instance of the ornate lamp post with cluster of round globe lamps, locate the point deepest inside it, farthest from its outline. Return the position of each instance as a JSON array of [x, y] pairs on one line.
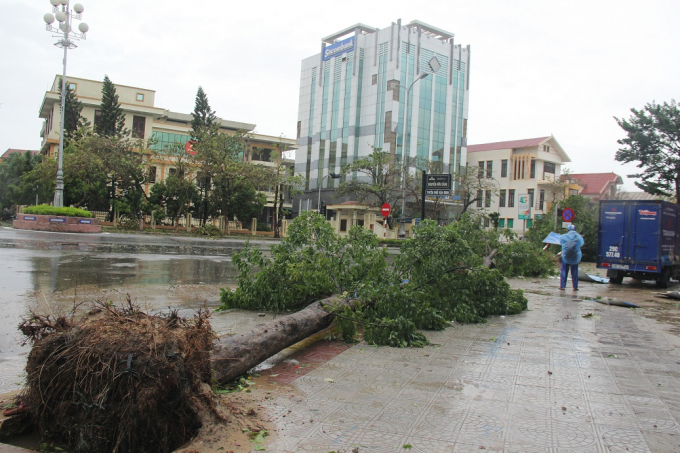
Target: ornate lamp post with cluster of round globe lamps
[[63, 15]]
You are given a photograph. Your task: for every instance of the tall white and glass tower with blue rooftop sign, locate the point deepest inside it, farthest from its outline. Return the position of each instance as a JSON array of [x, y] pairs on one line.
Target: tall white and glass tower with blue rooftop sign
[[352, 98]]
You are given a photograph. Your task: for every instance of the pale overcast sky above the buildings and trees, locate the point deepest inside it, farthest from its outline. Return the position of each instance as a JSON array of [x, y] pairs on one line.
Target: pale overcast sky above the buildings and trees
[[538, 67]]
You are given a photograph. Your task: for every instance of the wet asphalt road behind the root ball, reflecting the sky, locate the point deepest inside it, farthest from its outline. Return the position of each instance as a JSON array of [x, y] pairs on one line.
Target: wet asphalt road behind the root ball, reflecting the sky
[[48, 272]]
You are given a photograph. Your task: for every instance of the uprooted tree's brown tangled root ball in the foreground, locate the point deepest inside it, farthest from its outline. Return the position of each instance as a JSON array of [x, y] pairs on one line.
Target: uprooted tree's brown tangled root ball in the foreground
[[119, 380]]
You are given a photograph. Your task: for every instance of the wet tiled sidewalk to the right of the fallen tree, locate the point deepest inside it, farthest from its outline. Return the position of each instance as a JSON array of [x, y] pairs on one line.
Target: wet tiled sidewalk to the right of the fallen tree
[[548, 380]]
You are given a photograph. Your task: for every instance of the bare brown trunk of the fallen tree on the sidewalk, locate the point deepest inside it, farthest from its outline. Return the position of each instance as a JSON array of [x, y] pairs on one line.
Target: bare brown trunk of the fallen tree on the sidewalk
[[234, 356]]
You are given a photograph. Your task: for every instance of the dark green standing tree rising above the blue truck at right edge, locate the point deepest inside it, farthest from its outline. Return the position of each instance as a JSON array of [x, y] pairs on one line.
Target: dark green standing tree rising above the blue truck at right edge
[[653, 142]]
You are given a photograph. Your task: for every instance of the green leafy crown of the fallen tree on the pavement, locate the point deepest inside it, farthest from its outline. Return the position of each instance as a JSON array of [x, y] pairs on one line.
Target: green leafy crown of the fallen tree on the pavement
[[437, 278]]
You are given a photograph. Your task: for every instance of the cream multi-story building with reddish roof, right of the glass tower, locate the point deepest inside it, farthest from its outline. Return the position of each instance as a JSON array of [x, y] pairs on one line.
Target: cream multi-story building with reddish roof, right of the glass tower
[[521, 167]]
